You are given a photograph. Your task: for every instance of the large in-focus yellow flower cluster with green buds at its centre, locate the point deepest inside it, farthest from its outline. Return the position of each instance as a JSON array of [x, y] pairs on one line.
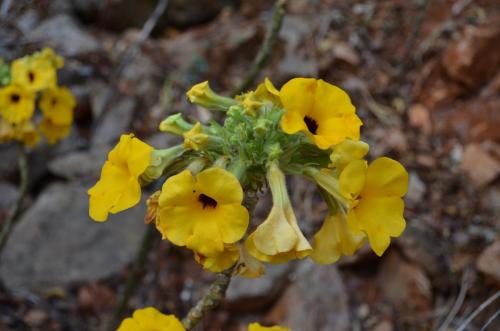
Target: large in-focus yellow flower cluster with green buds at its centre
[[308, 128]]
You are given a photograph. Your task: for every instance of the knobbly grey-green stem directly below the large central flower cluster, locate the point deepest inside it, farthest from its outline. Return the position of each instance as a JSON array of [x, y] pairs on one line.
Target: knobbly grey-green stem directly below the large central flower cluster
[[215, 294]]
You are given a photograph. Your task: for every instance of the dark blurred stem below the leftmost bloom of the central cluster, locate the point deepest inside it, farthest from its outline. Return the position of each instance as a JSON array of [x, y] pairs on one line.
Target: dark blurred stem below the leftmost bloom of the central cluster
[[134, 277]]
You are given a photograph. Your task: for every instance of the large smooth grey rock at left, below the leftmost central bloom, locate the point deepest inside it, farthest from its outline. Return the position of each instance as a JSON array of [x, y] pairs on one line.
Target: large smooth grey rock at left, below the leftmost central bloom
[[56, 244]]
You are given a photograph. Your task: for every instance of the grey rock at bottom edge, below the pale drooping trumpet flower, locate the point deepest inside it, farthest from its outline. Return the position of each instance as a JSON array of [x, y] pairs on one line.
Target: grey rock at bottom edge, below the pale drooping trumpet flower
[[315, 301]]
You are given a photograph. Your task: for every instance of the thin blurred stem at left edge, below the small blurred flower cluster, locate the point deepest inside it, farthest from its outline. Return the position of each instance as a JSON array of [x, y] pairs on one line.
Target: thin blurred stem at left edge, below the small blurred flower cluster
[[15, 211]]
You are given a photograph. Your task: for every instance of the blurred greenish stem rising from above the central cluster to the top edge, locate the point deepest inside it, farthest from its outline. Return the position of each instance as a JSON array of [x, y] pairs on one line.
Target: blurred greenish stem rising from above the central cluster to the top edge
[[265, 49]]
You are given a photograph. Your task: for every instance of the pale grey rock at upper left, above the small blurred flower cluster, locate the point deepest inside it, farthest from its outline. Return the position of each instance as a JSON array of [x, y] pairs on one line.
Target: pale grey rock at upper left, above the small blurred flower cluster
[[63, 34]]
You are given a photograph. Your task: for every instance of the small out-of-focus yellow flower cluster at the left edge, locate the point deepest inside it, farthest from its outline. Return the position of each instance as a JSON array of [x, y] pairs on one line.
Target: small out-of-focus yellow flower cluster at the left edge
[[29, 76]]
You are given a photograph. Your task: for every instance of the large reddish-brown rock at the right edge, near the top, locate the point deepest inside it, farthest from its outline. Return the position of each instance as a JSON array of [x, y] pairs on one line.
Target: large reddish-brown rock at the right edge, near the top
[[474, 59]]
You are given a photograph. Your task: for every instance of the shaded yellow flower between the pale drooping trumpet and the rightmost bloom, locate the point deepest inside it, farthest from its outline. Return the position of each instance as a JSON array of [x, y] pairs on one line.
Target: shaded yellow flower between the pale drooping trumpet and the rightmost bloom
[[335, 239]]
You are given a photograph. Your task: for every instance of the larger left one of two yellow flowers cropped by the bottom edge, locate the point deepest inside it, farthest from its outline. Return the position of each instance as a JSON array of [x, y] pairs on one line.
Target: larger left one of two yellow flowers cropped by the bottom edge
[[150, 319]]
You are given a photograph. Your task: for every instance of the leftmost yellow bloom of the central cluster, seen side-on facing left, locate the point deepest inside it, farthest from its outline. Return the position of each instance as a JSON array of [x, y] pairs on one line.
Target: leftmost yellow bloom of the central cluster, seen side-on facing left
[[118, 188]]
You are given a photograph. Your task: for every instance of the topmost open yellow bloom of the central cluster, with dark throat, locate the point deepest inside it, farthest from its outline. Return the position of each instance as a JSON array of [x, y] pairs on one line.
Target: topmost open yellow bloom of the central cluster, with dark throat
[[321, 110]]
